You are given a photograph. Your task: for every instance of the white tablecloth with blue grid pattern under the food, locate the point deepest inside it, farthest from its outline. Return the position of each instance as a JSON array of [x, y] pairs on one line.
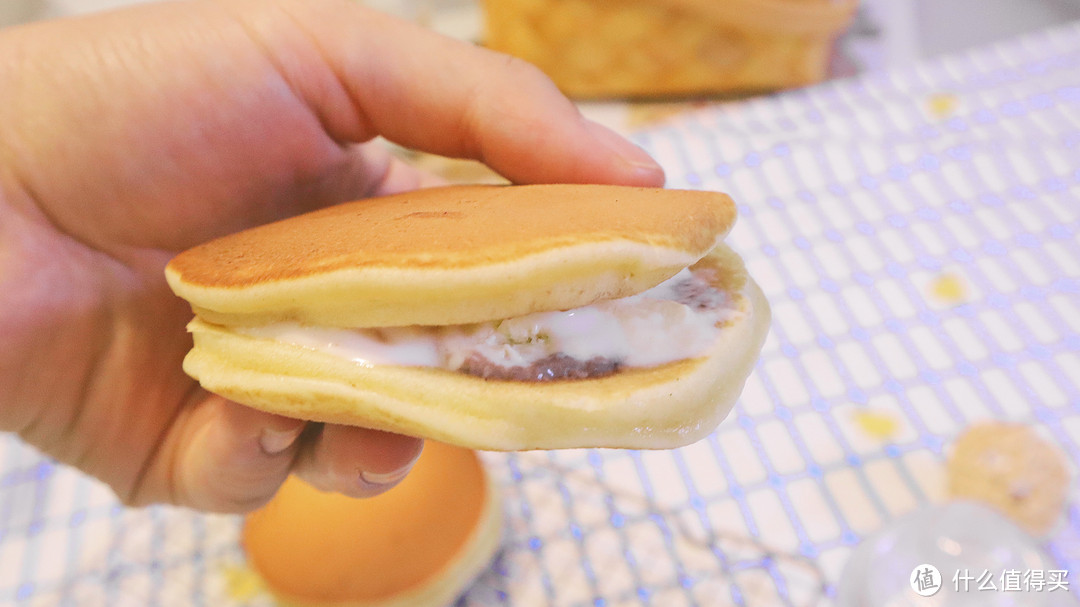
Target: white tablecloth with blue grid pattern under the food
[[858, 201]]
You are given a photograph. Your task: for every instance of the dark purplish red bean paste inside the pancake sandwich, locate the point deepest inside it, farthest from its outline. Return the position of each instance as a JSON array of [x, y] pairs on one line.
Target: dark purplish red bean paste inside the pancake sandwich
[[695, 292]]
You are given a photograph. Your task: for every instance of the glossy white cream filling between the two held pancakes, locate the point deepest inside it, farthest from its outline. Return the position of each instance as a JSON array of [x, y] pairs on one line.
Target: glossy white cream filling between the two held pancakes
[[646, 330]]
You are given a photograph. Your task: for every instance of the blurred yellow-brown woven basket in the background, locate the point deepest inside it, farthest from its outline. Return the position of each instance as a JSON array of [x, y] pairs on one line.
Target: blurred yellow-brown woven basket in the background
[[597, 49]]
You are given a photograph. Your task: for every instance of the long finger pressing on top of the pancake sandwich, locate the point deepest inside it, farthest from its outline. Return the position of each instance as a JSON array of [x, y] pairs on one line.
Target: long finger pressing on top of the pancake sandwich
[[443, 97]]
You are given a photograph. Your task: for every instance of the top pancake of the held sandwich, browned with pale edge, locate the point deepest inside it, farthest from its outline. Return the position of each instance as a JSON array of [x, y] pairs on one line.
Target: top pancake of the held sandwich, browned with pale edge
[[452, 255]]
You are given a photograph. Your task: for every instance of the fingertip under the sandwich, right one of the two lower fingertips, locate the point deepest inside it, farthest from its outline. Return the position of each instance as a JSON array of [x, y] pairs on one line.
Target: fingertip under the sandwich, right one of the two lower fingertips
[[357, 462]]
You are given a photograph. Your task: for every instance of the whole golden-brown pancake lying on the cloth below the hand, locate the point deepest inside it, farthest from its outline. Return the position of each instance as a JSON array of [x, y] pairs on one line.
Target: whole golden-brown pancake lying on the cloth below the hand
[[418, 545]]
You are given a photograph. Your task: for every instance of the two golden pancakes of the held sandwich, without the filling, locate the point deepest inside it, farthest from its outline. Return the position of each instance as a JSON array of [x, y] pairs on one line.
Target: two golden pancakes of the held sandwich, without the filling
[[479, 254]]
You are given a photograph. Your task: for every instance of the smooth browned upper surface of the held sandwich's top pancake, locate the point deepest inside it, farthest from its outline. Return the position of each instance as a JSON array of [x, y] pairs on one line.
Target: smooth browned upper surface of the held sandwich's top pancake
[[457, 227]]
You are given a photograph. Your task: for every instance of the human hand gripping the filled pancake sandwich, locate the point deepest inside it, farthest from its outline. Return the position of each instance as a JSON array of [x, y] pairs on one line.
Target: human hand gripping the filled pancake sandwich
[[128, 137]]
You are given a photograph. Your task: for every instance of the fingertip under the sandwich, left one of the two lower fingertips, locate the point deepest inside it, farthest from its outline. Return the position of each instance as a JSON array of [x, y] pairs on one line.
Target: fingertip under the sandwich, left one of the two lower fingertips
[[223, 457]]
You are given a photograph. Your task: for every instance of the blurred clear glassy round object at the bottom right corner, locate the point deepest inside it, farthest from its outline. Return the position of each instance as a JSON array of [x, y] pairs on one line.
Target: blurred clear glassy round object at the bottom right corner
[[951, 556]]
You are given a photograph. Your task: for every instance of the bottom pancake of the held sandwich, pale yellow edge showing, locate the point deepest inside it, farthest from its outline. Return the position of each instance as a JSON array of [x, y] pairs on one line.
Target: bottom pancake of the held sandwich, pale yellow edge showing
[[658, 408]]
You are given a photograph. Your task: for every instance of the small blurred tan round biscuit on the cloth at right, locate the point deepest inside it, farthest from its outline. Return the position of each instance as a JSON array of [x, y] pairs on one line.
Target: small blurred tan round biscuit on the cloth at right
[[1011, 468]]
